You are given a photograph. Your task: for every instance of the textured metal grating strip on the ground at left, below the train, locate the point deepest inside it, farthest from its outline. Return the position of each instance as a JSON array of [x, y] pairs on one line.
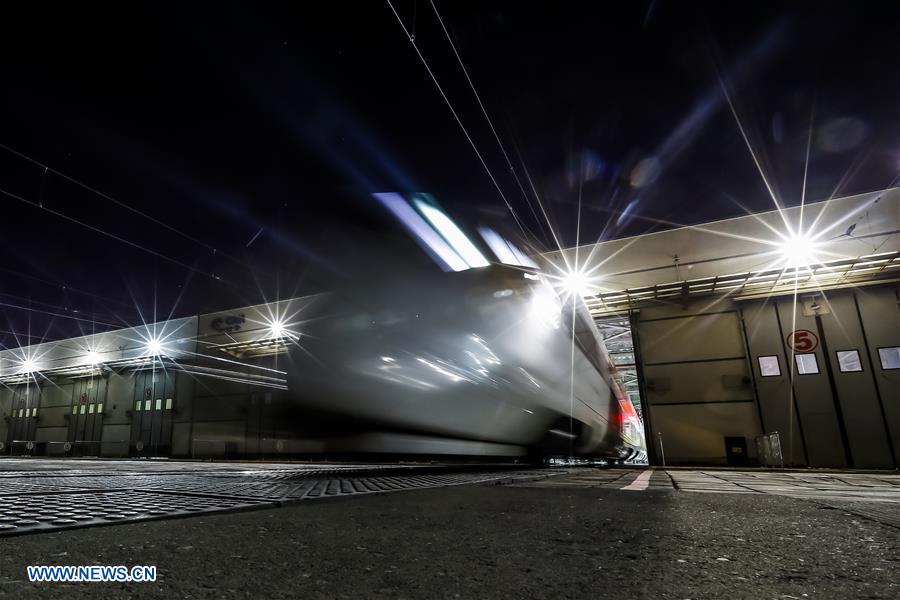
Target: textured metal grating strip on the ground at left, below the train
[[49, 503]]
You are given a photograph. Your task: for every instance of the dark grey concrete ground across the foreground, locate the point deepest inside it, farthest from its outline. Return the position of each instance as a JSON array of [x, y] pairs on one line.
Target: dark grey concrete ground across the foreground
[[582, 534]]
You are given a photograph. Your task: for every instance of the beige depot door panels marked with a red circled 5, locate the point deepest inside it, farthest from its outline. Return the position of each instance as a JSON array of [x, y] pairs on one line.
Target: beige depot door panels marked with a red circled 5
[[703, 380]]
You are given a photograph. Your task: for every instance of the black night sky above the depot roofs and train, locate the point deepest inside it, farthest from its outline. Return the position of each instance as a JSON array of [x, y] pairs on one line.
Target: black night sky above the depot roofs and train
[[219, 121]]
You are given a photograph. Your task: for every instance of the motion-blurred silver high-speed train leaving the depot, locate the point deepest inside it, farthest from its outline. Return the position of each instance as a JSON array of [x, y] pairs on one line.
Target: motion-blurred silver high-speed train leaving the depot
[[472, 351]]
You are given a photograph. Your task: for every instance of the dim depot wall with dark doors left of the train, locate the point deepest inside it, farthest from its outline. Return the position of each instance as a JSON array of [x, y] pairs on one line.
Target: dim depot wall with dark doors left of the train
[[130, 414]]
